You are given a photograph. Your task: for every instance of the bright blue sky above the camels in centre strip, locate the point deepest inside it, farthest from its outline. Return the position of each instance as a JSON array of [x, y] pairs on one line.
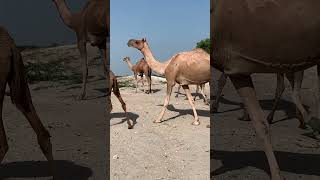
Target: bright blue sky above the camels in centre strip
[[170, 26]]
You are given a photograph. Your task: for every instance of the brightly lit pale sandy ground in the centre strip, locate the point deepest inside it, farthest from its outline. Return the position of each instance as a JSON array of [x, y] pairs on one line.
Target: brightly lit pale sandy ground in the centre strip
[[173, 149]]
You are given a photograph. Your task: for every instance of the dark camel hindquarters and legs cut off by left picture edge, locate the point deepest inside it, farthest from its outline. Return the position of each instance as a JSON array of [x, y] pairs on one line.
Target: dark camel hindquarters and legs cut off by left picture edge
[[12, 73]]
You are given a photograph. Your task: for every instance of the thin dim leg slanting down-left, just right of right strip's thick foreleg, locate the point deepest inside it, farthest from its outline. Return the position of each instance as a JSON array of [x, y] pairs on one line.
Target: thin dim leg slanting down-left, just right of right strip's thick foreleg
[[279, 90]]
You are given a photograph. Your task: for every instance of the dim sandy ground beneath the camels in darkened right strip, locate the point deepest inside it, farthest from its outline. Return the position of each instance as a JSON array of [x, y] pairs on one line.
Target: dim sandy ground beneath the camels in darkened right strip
[[237, 154]]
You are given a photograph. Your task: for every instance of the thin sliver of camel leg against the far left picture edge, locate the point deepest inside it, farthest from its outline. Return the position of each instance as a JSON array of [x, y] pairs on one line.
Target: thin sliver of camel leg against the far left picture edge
[[3, 139]]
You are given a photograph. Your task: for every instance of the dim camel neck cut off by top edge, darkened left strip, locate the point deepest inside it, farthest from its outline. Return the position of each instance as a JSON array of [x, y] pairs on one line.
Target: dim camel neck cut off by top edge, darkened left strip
[[65, 13]]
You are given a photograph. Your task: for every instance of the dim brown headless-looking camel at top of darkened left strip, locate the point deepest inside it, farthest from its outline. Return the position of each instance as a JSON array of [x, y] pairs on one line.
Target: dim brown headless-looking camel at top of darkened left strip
[[90, 26]]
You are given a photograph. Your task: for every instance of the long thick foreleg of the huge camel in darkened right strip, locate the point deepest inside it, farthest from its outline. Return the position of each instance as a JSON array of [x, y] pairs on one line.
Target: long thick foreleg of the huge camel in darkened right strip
[[245, 88]]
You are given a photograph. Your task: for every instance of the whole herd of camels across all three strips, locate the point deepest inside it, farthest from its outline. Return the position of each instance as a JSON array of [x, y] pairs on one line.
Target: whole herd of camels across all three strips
[[288, 45]]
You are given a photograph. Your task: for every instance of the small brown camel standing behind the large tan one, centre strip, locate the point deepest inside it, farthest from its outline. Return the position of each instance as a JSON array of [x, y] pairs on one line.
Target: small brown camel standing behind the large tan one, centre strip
[[140, 68]]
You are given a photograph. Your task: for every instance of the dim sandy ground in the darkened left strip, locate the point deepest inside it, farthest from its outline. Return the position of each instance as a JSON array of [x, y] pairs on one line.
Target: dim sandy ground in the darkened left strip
[[78, 128]]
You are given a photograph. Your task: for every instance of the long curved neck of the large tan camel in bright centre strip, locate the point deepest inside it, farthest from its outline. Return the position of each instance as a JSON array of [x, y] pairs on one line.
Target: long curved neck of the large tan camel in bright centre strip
[[155, 65]]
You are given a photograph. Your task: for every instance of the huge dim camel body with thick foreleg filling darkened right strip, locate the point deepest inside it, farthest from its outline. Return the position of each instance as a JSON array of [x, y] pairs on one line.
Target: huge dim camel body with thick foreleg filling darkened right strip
[[286, 42]]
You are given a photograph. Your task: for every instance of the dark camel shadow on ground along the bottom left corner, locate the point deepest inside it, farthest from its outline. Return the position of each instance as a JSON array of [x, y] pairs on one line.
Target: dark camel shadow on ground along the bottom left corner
[[65, 170]]
